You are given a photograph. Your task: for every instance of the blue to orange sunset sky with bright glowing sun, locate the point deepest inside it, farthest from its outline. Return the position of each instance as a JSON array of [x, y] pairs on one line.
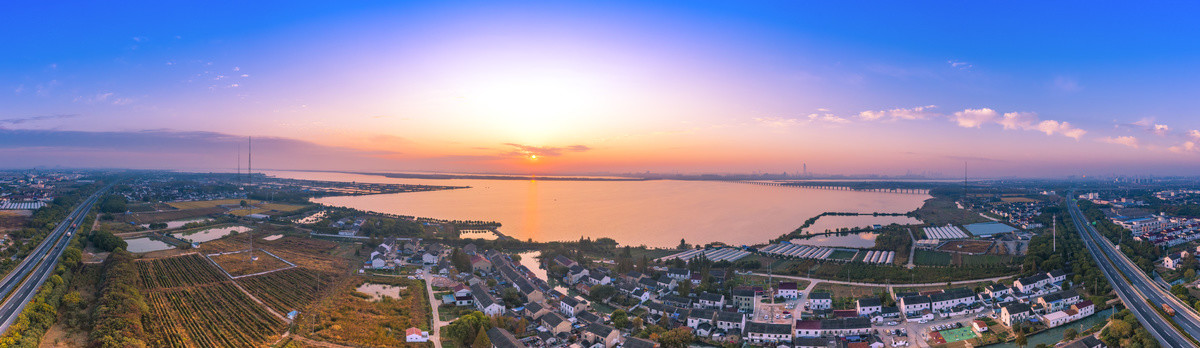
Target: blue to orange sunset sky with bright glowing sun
[[1012, 89]]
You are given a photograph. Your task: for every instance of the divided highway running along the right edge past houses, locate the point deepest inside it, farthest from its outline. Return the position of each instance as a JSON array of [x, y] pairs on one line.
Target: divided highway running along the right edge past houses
[[1137, 289]]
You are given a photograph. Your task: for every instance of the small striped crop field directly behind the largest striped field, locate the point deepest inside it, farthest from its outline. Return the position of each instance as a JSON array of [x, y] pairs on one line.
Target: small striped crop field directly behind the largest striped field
[[178, 272]]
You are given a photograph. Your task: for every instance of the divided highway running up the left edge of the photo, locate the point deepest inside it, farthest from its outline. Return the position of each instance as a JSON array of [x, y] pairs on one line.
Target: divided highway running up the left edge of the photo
[[22, 284]]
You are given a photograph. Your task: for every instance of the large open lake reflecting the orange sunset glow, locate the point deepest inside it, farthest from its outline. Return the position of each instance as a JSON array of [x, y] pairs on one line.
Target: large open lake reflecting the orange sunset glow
[[656, 213]]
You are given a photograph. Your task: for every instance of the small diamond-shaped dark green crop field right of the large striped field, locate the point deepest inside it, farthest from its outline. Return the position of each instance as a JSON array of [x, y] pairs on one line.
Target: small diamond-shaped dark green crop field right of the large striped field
[[289, 290]]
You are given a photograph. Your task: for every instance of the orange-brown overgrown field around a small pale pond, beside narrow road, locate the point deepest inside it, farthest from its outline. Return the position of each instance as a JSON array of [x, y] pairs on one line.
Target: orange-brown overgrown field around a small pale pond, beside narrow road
[[351, 317]]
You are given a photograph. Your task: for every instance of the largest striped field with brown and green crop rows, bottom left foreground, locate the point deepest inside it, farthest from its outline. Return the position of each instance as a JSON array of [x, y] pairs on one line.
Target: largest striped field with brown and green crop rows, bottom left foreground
[[209, 316]]
